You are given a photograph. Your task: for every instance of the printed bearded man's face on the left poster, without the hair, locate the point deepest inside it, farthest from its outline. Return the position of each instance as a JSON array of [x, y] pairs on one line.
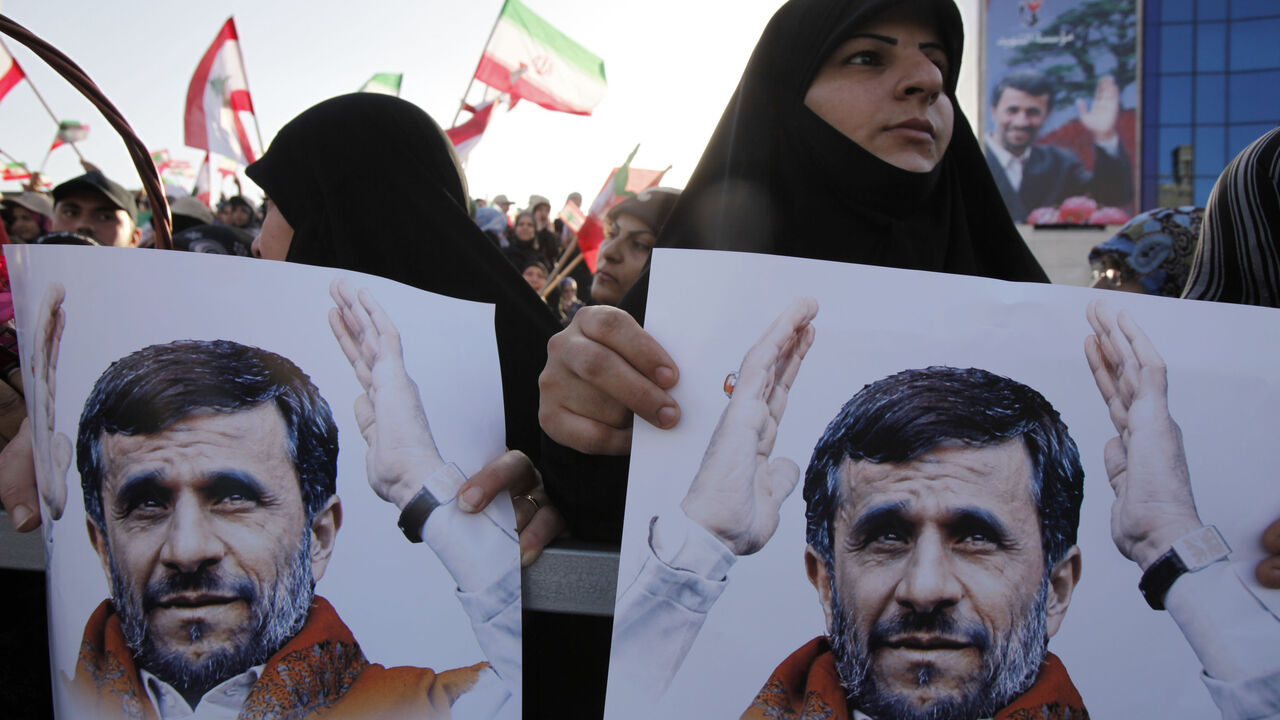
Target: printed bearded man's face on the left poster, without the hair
[[207, 543]]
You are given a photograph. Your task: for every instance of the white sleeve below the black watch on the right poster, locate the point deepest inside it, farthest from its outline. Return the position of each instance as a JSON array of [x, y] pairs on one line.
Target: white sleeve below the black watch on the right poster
[[1236, 639]]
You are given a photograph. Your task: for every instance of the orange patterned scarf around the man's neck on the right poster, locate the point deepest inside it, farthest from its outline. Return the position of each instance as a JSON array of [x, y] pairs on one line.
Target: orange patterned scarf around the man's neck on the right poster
[[807, 687]]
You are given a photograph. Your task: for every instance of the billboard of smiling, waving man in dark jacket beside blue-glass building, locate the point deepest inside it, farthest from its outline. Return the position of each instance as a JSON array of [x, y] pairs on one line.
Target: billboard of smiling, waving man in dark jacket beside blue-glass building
[[1062, 103]]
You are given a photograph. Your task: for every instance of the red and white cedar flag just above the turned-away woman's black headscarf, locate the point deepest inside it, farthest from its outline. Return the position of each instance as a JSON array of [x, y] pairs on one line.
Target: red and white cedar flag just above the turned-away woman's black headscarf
[[217, 97]]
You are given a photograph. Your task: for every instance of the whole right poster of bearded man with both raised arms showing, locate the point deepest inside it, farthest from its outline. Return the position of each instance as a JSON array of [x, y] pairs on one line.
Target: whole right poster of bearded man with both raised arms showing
[[954, 546]]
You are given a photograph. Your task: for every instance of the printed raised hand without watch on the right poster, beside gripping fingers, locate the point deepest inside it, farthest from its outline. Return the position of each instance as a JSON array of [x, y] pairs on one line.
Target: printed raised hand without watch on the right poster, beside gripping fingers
[[739, 490]]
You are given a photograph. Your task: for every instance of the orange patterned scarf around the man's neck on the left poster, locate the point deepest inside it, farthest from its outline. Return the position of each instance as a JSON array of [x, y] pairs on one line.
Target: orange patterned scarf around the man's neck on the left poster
[[321, 673]]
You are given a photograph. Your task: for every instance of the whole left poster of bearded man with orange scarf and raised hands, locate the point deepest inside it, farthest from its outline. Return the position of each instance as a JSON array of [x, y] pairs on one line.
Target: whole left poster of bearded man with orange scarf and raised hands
[[239, 523]]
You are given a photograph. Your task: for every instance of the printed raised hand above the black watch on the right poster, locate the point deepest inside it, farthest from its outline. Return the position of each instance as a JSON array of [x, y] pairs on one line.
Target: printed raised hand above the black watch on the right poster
[[1146, 463]]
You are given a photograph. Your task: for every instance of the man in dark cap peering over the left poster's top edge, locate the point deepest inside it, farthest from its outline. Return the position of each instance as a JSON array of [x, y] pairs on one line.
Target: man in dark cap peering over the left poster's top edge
[[98, 208]]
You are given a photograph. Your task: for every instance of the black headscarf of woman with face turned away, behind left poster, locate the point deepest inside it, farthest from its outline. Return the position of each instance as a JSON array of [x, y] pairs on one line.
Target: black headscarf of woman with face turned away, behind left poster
[[371, 184]]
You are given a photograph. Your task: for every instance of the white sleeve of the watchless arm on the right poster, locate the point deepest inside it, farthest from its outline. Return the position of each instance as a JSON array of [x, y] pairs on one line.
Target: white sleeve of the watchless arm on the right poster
[[661, 613]]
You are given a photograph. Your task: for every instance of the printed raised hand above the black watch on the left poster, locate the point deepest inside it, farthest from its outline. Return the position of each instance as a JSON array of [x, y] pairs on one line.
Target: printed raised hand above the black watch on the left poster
[[390, 413]]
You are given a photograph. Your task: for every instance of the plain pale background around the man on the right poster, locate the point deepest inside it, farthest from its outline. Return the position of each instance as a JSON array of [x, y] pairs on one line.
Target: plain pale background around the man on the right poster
[[708, 308]]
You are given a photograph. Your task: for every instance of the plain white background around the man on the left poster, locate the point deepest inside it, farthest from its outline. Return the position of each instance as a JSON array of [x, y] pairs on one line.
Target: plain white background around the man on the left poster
[[396, 598]]
